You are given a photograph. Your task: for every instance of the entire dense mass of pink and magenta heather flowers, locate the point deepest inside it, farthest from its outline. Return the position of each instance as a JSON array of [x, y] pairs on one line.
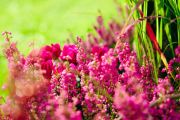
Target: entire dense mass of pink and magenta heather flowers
[[89, 80]]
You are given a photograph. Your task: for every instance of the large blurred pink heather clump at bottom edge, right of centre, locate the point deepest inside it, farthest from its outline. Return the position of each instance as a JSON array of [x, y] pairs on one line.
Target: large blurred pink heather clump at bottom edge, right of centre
[[130, 107]]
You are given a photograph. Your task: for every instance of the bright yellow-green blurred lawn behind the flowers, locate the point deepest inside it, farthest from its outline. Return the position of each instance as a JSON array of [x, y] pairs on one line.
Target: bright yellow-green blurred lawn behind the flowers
[[48, 21]]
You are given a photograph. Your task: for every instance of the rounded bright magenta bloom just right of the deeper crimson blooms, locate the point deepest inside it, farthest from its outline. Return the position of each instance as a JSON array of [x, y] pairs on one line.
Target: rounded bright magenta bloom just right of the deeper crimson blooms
[[69, 53]]
